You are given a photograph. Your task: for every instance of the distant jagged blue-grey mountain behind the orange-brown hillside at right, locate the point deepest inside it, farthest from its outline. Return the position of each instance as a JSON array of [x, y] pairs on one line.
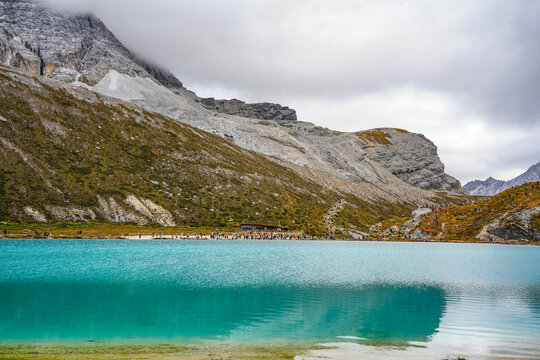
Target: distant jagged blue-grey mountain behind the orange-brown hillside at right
[[491, 186]]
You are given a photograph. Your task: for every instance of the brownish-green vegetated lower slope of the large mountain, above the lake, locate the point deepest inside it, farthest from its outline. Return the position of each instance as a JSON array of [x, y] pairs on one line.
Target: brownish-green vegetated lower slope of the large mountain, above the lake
[[69, 154]]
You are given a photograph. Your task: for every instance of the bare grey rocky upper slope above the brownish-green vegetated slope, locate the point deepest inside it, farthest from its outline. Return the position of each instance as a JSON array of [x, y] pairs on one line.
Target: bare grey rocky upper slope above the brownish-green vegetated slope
[[81, 49]]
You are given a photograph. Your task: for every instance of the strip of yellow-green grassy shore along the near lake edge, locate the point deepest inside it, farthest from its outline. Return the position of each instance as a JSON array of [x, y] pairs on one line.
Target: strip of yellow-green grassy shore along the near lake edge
[[161, 351]]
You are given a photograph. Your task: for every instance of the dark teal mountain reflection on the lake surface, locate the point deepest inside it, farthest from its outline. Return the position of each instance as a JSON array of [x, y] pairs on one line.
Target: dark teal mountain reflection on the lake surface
[[78, 311]]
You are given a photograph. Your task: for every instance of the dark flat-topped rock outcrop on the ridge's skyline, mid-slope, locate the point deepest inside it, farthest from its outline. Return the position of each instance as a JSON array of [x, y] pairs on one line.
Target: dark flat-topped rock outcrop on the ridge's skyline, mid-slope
[[263, 111]]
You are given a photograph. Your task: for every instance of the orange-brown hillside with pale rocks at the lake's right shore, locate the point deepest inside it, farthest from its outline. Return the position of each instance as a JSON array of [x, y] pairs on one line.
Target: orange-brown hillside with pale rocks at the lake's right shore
[[513, 215]]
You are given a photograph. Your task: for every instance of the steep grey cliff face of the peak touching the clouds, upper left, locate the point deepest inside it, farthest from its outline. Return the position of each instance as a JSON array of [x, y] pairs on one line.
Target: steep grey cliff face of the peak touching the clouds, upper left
[[70, 48]]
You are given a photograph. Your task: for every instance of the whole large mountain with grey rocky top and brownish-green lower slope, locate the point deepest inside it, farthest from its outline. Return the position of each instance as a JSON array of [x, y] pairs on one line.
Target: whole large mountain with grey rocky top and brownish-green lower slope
[[55, 124]]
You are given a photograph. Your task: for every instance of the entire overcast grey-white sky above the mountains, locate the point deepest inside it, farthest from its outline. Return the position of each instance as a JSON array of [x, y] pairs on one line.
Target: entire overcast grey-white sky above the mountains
[[464, 73]]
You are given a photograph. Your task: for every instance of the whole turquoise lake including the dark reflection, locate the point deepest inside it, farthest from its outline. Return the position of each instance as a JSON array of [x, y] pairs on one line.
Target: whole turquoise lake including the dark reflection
[[481, 300]]
